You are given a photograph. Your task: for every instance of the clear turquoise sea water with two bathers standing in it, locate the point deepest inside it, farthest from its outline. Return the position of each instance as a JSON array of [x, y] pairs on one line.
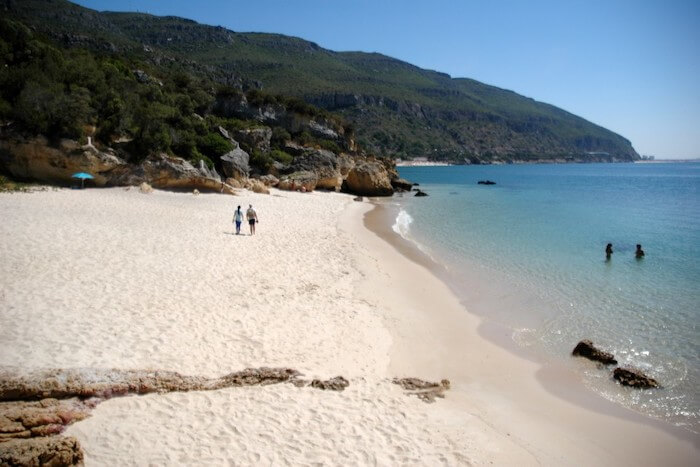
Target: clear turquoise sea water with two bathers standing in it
[[535, 242]]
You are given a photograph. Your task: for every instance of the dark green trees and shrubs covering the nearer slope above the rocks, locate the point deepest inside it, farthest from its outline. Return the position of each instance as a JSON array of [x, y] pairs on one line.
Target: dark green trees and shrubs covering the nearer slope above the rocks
[[131, 104]]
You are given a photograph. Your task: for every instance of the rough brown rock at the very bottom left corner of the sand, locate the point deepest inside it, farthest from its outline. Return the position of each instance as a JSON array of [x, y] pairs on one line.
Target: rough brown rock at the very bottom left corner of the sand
[[52, 451]]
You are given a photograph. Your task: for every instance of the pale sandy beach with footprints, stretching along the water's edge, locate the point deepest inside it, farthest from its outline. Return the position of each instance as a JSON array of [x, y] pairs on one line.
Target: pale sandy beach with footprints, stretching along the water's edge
[[110, 278]]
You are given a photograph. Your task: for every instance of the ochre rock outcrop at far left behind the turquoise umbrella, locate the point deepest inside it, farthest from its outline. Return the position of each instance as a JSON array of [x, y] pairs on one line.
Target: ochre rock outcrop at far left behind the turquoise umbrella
[[36, 159]]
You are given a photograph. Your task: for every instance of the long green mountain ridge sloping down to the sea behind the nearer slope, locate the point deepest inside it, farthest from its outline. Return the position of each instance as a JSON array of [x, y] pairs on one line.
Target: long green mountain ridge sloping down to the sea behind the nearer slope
[[396, 108]]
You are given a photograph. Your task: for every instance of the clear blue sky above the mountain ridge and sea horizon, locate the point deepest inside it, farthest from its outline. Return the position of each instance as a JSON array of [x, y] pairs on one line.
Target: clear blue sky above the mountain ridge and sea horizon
[[632, 66]]
